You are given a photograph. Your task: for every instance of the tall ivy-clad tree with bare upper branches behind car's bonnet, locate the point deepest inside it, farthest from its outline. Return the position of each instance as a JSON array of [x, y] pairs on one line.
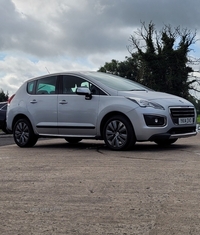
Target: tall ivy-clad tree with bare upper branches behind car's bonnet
[[165, 59]]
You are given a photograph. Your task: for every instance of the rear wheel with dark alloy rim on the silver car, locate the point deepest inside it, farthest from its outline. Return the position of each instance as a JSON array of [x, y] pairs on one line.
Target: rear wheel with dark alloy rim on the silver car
[[23, 134]]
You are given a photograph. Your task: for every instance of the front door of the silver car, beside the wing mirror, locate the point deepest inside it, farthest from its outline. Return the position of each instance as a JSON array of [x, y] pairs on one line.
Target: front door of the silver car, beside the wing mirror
[[76, 115]]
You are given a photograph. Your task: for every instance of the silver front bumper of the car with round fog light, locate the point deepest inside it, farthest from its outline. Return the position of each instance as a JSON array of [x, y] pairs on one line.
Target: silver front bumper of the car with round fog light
[[162, 125]]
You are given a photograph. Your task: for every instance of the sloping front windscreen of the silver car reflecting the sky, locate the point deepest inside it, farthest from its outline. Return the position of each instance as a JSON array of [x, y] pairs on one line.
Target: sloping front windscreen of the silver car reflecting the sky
[[116, 82]]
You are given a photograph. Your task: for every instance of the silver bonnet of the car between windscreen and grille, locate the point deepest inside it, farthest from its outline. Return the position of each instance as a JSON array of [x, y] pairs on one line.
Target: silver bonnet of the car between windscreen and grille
[[158, 97]]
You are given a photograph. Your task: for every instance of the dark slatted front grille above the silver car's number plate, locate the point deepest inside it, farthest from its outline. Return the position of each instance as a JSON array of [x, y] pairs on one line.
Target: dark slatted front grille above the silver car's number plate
[[177, 113]]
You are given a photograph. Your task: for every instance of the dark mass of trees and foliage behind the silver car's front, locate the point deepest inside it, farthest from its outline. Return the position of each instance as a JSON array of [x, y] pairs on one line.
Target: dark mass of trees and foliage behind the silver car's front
[[158, 60]]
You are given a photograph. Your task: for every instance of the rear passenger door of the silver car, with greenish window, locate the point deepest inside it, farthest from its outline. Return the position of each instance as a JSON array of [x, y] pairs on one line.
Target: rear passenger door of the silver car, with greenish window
[[42, 104]]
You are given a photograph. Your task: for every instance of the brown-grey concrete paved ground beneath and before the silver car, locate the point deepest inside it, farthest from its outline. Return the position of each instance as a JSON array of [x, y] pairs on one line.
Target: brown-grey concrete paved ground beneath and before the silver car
[[86, 189]]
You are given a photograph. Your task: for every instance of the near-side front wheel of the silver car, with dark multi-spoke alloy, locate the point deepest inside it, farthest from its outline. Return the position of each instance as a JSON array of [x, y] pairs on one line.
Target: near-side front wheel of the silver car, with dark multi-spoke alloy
[[118, 133]]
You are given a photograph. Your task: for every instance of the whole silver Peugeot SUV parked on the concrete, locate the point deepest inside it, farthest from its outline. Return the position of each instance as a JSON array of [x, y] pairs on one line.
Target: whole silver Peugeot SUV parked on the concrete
[[93, 105]]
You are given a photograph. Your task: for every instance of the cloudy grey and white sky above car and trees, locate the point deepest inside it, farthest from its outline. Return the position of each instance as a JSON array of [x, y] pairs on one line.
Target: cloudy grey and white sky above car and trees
[[46, 36]]
